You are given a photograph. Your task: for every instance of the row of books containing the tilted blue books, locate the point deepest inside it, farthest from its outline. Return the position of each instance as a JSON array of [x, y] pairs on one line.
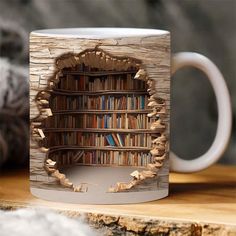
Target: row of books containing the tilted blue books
[[98, 139]]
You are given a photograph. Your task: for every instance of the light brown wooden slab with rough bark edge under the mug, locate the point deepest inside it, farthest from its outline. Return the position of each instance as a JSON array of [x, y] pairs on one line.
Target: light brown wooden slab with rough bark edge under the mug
[[202, 203]]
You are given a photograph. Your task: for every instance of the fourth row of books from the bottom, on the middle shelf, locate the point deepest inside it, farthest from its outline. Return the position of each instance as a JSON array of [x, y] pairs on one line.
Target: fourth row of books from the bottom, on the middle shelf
[[104, 102]]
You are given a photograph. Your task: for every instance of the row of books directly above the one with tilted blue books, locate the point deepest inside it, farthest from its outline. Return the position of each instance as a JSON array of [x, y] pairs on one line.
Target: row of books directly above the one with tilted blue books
[[109, 121]]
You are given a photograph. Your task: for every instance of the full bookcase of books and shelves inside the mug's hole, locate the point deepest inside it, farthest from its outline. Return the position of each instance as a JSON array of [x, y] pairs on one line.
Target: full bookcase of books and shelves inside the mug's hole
[[99, 117]]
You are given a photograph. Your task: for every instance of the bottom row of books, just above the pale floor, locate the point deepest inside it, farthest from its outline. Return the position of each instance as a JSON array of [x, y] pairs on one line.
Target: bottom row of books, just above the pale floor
[[117, 158]]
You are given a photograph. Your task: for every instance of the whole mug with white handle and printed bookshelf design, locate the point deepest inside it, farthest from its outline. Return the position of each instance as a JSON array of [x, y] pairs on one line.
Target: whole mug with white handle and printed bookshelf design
[[100, 105]]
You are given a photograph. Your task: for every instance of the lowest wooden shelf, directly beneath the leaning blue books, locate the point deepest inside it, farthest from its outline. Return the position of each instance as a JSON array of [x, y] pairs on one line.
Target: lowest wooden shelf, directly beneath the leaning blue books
[[107, 148]]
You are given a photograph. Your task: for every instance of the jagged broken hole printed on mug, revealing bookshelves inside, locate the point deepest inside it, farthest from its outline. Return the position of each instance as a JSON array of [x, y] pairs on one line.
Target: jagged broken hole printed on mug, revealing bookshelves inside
[[98, 115]]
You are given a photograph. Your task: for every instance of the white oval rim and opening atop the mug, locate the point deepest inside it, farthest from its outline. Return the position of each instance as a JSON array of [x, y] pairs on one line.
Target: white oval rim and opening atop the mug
[[100, 32]]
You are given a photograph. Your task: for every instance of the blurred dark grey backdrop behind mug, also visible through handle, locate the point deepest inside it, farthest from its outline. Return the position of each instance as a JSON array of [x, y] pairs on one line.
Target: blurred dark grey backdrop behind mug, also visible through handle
[[204, 26]]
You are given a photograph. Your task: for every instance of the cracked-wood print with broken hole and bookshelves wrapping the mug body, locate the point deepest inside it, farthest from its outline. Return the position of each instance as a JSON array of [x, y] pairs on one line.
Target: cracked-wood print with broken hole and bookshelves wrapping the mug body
[[99, 119]]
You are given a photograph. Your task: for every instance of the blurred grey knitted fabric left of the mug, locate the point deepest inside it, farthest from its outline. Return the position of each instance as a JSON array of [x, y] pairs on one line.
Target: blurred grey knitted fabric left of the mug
[[14, 106]]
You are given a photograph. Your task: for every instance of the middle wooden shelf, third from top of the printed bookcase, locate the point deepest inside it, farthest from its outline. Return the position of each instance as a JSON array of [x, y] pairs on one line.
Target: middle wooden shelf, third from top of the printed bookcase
[[100, 111]]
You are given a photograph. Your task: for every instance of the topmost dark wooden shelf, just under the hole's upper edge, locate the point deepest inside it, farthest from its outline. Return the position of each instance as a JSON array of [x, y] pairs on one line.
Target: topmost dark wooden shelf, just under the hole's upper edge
[[97, 73]]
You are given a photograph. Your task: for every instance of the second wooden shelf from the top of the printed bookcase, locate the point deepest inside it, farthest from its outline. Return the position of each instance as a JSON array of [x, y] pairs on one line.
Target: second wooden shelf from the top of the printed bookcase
[[96, 93]]
